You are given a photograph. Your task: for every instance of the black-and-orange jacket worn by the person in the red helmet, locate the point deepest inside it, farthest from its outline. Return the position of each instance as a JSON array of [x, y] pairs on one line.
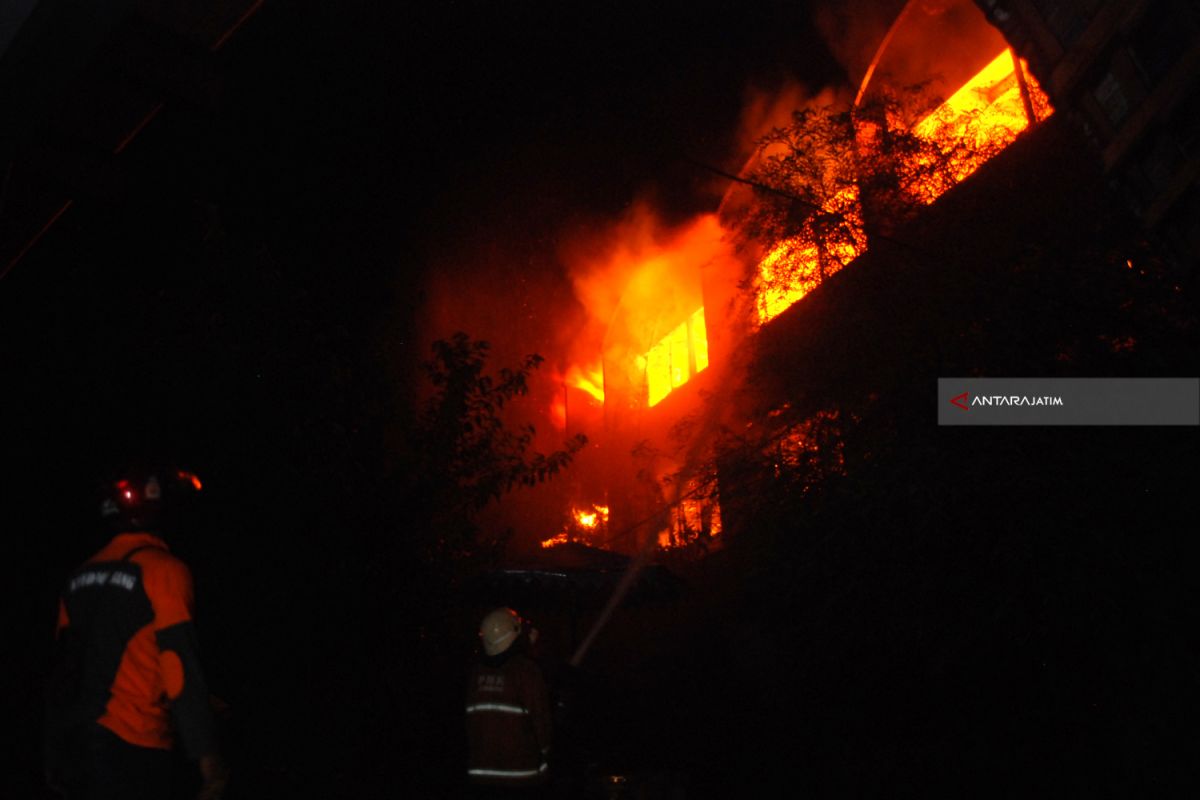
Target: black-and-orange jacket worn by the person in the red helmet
[[125, 624]]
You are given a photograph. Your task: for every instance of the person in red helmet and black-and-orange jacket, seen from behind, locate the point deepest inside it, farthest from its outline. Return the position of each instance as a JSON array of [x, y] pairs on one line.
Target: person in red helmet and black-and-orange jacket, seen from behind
[[128, 682]]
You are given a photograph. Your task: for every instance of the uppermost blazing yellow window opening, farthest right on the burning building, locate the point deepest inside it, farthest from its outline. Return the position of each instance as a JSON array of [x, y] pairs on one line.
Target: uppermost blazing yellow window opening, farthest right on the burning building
[[983, 118]]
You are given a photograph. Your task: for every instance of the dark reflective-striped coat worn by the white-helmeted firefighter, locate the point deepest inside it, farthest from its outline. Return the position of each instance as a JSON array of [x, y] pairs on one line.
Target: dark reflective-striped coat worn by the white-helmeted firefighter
[[508, 723]]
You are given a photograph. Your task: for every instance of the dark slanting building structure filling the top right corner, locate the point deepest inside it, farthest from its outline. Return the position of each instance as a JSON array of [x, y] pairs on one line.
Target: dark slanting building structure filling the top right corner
[[1130, 74]]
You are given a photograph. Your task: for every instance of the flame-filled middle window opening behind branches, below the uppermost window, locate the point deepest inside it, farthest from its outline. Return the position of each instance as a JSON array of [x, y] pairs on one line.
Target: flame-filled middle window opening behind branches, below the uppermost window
[[797, 266]]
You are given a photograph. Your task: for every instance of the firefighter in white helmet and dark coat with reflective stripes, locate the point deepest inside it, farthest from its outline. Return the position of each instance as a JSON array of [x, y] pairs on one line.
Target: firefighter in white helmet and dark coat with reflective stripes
[[508, 712]]
